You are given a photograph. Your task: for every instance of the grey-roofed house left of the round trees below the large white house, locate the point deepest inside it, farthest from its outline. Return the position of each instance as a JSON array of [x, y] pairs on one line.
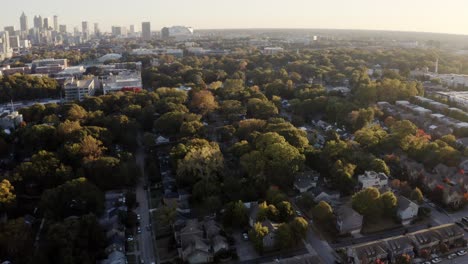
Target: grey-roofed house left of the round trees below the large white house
[[348, 221]]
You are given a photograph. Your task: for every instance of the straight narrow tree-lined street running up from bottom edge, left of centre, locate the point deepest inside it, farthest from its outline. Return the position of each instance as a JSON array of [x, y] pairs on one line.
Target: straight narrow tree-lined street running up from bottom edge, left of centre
[[145, 239]]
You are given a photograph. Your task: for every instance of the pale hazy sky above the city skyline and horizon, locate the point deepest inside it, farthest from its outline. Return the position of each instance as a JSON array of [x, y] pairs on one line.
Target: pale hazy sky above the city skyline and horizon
[[447, 16]]
